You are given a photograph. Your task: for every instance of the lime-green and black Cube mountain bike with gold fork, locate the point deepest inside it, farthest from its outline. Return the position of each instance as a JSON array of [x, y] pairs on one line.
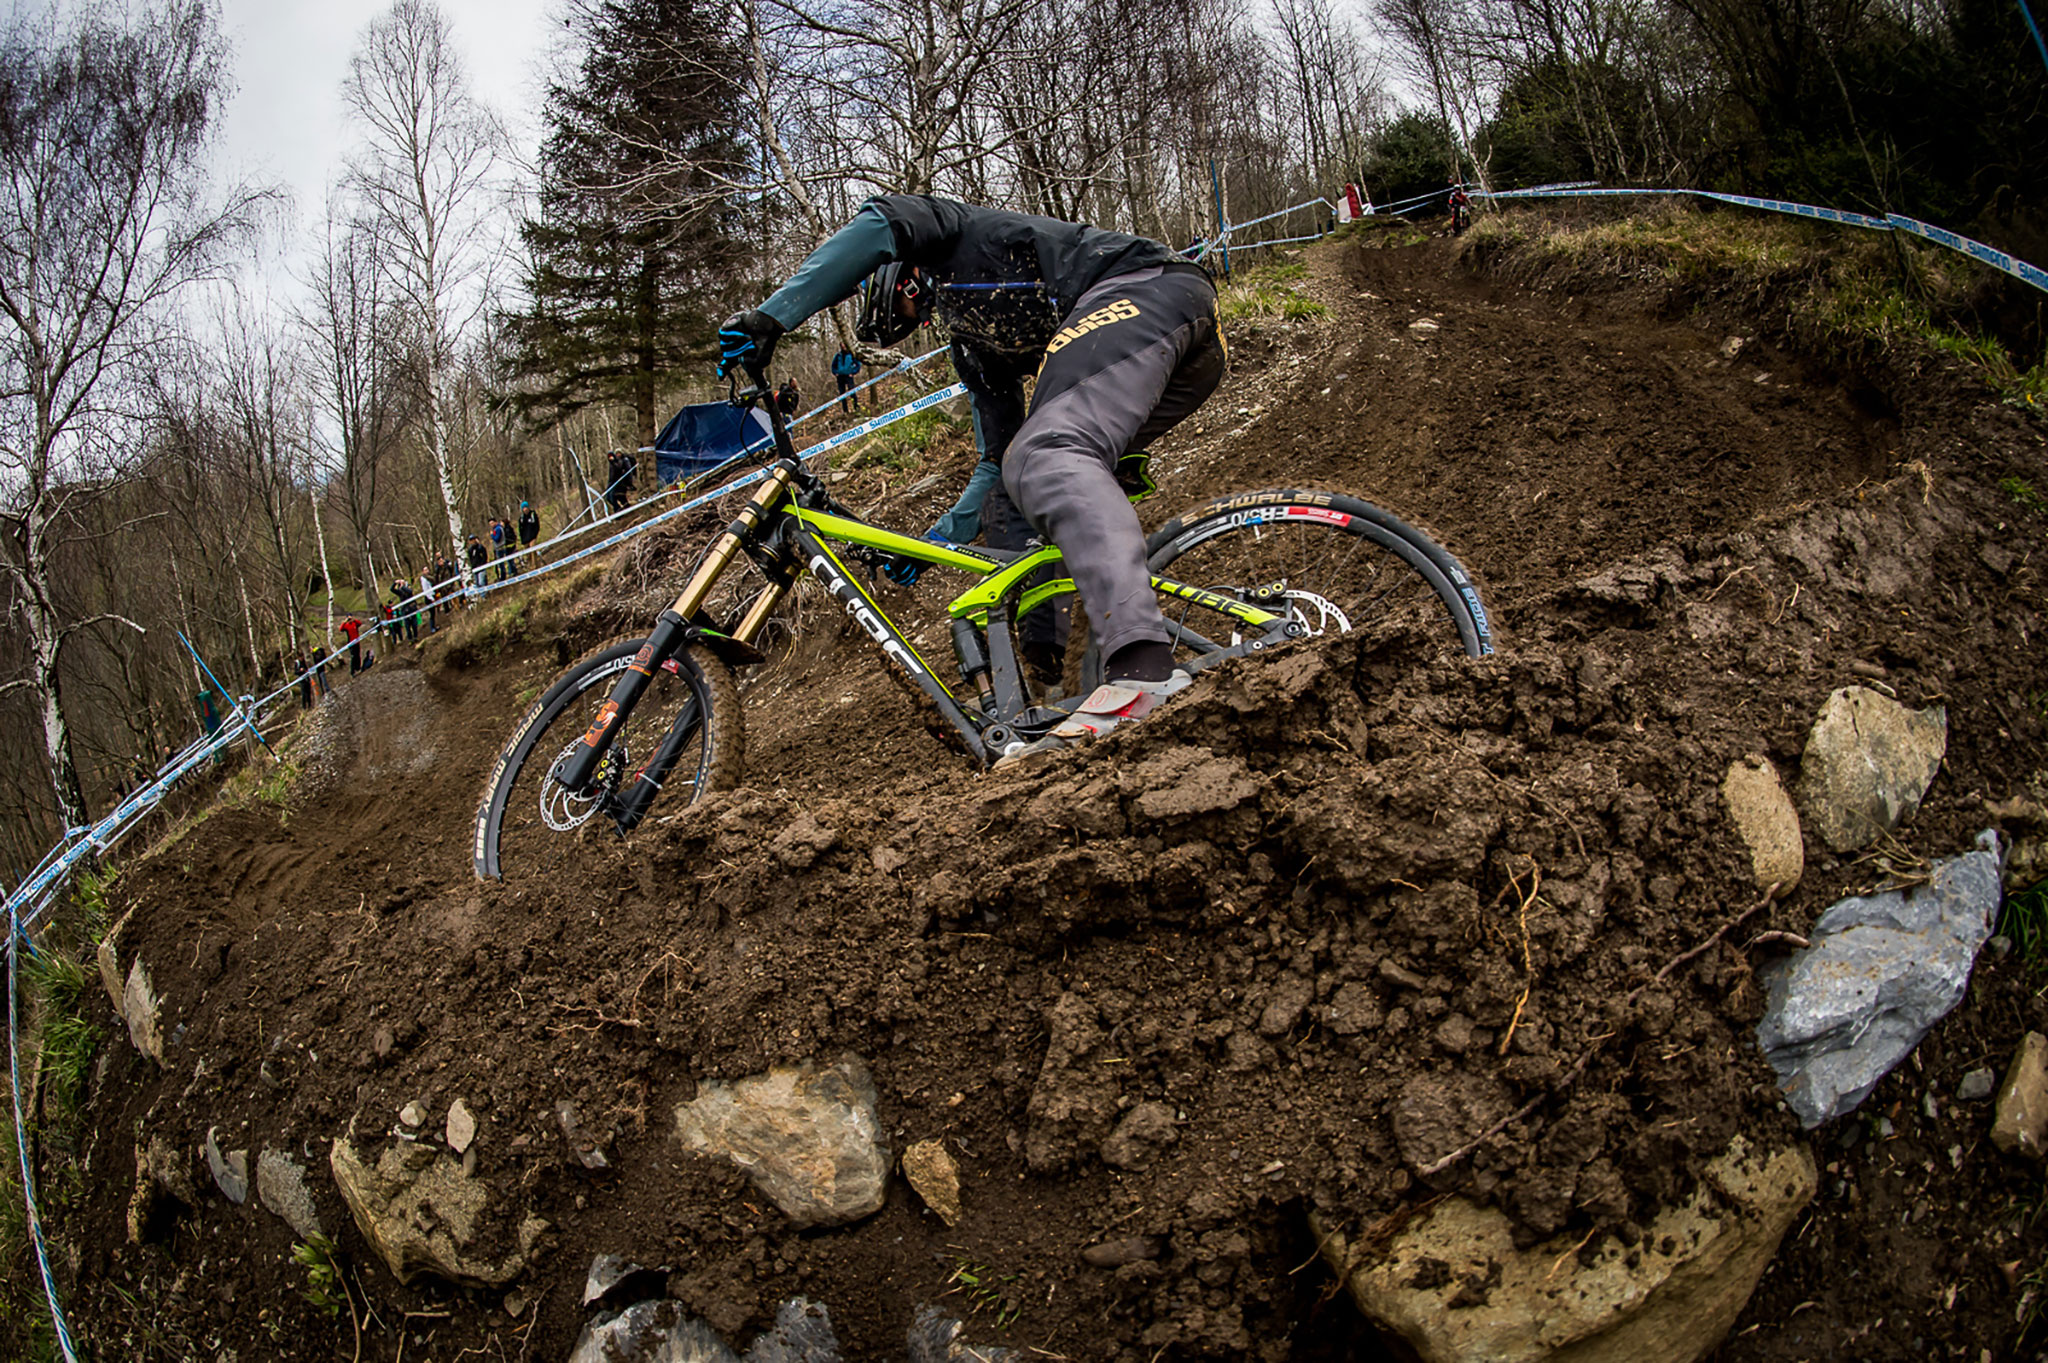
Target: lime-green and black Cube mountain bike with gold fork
[[658, 715]]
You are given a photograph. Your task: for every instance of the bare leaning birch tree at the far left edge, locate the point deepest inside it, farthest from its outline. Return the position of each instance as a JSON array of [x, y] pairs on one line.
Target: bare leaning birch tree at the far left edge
[[103, 220]]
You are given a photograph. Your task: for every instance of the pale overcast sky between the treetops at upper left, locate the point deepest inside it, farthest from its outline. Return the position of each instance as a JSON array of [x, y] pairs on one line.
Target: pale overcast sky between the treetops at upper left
[[286, 122]]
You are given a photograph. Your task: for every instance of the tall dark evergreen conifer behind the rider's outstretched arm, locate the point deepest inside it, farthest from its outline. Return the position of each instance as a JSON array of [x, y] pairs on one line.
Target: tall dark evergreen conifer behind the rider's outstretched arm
[[636, 238]]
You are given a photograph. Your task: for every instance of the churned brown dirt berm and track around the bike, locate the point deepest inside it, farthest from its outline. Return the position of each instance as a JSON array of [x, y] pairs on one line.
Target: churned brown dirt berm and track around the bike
[[1336, 912]]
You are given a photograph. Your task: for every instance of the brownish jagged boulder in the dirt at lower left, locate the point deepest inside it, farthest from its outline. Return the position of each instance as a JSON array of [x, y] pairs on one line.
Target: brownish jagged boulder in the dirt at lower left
[[423, 1215]]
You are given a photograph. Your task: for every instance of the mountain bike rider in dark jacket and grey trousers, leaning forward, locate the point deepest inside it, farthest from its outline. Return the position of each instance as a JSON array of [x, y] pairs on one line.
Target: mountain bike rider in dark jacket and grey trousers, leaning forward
[[1123, 339]]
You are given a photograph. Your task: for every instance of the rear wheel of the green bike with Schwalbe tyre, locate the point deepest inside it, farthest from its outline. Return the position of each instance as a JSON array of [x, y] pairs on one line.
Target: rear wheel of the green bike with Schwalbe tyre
[[1336, 566]]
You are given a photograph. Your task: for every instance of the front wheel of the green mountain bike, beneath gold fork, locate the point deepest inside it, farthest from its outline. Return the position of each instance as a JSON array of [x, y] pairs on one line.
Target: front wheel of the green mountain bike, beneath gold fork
[[529, 820]]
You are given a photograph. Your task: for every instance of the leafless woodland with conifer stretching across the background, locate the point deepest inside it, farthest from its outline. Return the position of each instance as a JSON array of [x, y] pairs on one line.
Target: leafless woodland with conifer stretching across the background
[[185, 453]]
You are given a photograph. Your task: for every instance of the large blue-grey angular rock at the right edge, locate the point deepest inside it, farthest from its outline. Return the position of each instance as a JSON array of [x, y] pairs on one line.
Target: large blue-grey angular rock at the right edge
[[1881, 971]]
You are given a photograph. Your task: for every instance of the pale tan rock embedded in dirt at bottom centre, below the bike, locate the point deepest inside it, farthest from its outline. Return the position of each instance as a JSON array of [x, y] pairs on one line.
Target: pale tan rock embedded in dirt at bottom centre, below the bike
[[806, 1137]]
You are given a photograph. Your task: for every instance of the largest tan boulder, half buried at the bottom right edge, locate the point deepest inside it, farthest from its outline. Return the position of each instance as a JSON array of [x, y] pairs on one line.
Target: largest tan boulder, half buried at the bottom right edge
[[1457, 1290]]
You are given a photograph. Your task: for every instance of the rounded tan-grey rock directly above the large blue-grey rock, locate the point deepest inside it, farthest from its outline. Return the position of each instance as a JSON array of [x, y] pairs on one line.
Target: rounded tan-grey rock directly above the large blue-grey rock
[[1869, 762]]
